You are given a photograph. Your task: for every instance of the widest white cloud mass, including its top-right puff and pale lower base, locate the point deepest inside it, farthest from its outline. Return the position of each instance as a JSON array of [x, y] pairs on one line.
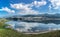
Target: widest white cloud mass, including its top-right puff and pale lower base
[[27, 8]]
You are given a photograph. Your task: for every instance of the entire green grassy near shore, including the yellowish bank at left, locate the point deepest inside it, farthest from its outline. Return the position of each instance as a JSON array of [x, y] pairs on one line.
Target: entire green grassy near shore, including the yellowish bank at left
[[6, 32]]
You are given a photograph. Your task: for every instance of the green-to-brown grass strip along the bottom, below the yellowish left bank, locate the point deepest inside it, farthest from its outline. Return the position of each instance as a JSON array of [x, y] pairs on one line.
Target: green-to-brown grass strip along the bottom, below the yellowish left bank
[[12, 33]]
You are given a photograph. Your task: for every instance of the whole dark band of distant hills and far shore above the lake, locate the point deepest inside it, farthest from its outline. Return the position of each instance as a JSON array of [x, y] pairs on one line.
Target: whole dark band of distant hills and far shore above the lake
[[42, 18]]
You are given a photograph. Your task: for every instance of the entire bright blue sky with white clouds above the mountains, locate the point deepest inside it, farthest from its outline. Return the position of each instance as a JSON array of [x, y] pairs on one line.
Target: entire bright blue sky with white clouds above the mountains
[[23, 7]]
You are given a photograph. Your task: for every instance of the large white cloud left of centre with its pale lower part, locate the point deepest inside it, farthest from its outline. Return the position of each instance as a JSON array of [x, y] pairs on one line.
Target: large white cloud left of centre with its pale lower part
[[25, 9]]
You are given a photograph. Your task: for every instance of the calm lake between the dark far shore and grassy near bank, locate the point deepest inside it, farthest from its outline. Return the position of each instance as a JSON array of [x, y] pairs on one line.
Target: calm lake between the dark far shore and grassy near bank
[[33, 26]]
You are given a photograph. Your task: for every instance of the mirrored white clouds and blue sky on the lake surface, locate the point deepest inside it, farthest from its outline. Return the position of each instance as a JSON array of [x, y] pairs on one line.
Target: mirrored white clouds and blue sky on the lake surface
[[33, 26]]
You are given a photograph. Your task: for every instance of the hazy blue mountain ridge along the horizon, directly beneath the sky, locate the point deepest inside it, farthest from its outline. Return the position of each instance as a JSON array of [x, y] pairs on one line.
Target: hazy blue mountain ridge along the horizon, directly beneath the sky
[[41, 15]]
